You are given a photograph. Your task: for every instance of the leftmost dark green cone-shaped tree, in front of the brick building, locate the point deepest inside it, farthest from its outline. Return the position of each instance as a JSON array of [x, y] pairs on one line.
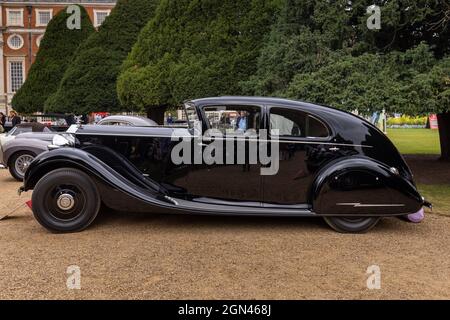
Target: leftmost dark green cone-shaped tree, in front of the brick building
[[56, 50]]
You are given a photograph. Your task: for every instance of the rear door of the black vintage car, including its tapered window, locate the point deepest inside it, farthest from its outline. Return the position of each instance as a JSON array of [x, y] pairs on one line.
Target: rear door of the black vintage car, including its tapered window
[[303, 148]]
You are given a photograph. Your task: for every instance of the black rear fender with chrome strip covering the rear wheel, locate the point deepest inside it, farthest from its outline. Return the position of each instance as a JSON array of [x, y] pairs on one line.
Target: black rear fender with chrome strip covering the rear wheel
[[362, 186]]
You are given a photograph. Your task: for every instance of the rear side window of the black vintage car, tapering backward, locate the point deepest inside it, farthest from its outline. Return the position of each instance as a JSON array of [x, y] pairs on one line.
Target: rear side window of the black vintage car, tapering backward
[[295, 123]]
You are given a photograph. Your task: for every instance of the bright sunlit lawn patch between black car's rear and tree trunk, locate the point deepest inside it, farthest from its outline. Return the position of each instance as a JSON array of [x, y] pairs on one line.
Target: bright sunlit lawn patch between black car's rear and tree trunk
[[415, 141]]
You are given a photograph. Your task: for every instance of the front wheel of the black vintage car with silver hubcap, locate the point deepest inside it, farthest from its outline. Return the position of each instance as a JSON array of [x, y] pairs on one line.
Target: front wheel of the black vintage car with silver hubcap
[[65, 200]]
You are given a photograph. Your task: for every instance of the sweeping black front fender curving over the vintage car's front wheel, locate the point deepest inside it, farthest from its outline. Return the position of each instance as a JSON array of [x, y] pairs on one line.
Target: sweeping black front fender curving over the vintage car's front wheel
[[122, 186]]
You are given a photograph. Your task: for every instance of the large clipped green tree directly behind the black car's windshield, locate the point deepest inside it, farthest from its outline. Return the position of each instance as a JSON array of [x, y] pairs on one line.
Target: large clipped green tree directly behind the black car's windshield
[[194, 48]]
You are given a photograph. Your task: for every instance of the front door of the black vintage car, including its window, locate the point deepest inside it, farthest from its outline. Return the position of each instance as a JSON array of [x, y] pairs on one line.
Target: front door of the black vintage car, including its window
[[237, 177]]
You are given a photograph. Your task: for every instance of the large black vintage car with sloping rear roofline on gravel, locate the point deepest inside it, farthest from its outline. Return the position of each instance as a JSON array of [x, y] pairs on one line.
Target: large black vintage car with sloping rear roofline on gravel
[[331, 164]]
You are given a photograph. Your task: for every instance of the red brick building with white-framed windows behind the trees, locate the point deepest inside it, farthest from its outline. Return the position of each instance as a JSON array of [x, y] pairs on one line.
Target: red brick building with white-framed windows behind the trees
[[23, 25]]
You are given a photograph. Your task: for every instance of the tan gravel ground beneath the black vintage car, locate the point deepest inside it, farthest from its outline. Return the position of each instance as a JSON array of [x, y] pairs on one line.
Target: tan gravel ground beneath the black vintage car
[[180, 257]]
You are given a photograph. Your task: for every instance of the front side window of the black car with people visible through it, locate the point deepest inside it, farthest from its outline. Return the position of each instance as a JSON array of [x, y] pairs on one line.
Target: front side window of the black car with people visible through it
[[234, 120]]
